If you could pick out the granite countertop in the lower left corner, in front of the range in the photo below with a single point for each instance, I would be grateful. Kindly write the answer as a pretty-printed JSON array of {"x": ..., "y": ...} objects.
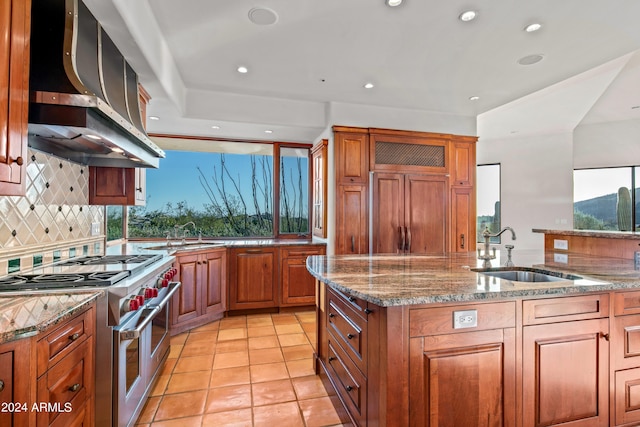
[{"x": 26, "y": 315}]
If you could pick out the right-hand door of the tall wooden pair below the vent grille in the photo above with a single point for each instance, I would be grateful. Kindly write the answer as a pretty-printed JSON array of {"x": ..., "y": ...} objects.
[{"x": 425, "y": 214}]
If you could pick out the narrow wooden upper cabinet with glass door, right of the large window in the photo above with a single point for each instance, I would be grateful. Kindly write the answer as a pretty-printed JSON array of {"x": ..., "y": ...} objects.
[{"x": 319, "y": 189}]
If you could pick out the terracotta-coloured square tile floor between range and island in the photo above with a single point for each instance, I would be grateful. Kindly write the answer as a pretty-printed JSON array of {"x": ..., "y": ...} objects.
[{"x": 254, "y": 370}]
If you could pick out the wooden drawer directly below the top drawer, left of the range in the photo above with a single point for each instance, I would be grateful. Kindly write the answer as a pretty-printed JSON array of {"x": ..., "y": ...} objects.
[{"x": 69, "y": 383}]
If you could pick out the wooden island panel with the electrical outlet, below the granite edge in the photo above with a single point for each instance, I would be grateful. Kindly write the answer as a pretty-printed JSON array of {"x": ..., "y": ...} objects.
[{"x": 441, "y": 320}]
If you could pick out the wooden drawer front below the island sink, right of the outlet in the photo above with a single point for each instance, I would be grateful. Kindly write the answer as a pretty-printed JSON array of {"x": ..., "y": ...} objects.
[{"x": 567, "y": 309}]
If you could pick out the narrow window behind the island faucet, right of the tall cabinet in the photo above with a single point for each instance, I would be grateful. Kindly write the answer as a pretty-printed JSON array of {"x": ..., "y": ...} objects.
[{"x": 488, "y": 200}]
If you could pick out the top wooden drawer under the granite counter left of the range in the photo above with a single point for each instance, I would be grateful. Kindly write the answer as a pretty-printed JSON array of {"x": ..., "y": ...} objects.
[{"x": 64, "y": 339}]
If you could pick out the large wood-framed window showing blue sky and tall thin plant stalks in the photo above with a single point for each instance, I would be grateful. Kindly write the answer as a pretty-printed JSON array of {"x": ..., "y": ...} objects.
[{"x": 233, "y": 189}]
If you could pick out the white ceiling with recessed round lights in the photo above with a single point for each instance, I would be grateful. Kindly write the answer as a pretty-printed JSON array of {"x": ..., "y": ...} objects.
[{"x": 418, "y": 55}]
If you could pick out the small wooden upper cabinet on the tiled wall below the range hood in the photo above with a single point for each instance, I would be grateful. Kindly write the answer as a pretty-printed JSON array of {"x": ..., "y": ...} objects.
[{"x": 117, "y": 186}]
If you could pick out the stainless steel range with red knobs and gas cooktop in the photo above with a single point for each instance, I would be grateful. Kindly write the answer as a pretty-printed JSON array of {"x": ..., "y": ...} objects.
[{"x": 132, "y": 328}]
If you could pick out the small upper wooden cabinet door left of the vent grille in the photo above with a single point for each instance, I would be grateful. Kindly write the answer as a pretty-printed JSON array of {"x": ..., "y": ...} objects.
[{"x": 351, "y": 155}]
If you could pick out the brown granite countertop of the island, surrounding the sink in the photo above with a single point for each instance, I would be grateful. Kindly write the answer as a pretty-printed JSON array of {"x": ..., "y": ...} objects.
[{"x": 393, "y": 280}]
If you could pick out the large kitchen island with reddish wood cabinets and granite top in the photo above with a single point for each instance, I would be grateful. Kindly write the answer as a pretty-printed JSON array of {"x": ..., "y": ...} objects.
[{"x": 433, "y": 340}]
